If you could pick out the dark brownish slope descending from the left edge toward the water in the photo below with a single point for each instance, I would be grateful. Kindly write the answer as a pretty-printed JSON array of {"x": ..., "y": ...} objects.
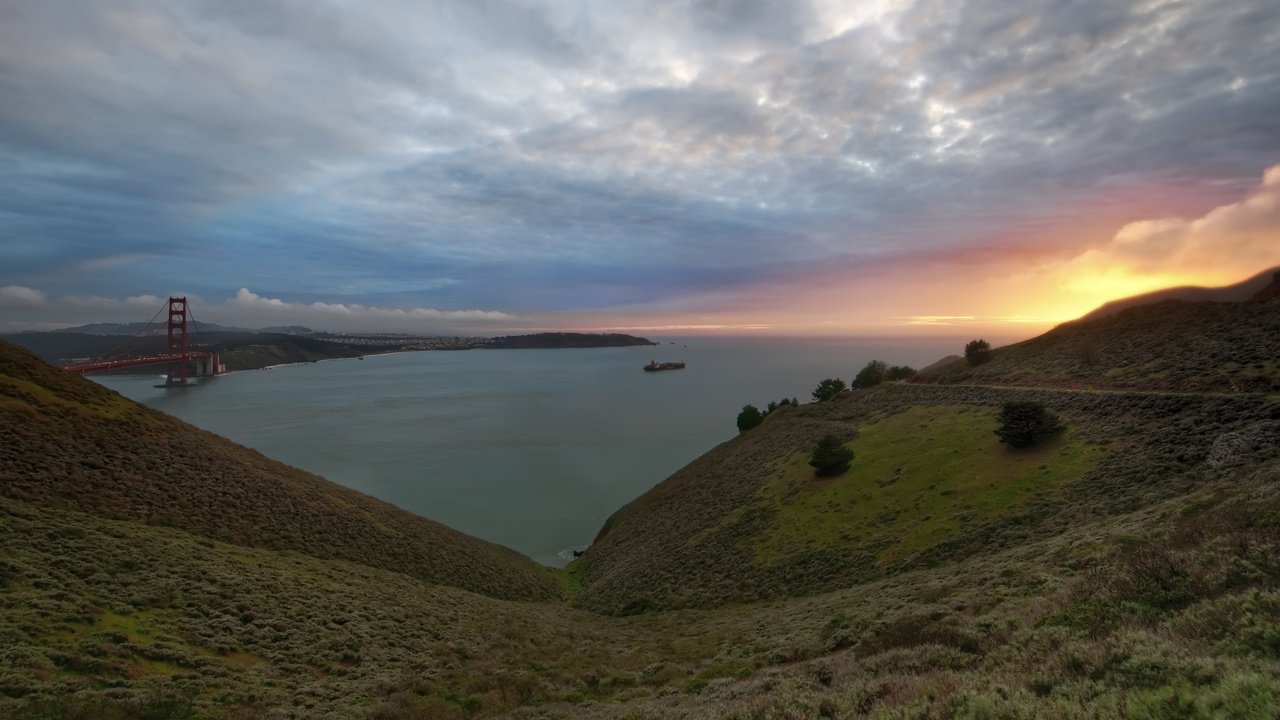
[{"x": 72, "y": 444}]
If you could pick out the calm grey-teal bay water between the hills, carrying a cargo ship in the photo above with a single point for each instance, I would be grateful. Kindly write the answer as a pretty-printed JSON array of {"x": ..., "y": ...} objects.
[{"x": 531, "y": 449}]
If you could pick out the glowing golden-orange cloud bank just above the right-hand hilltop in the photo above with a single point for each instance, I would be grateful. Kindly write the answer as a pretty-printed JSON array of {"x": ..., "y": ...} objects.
[{"x": 1226, "y": 245}]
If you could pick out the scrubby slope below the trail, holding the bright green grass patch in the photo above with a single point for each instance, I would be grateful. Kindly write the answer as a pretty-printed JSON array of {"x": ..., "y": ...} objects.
[{"x": 749, "y": 522}]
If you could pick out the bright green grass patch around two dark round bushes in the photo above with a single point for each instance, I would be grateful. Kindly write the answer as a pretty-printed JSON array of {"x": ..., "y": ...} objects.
[{"x": 920, "y": 479}]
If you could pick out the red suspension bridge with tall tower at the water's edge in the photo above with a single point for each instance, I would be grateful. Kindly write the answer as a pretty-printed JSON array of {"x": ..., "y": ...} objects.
[{"x": 182, "y": 361}]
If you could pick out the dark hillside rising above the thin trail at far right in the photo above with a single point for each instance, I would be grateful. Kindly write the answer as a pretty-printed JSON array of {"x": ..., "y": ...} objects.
[{"x": 1168, "y": 347}]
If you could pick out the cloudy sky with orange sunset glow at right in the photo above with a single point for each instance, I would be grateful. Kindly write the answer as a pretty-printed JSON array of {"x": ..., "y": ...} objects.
[{"x": 662, "y": 167}]
